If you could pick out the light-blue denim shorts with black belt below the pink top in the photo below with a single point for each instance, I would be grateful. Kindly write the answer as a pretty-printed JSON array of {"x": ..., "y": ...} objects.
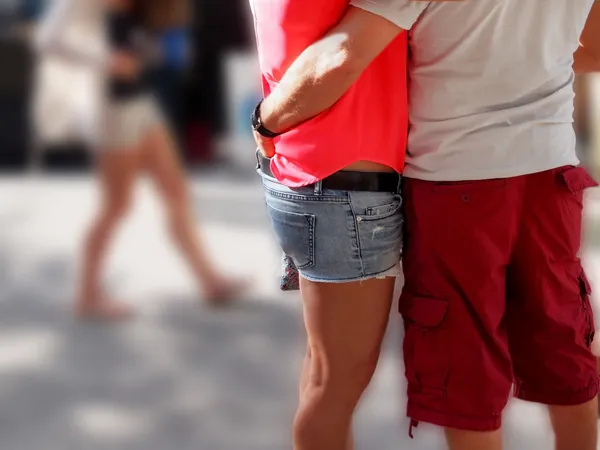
[{"x": 336, "y": 236}]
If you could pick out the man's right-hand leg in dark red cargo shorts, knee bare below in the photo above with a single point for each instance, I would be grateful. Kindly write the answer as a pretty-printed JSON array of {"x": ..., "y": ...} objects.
[{"x": 549, "y": 315}]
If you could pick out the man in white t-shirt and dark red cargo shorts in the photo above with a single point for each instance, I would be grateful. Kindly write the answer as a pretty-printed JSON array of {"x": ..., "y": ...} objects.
[{"x": 495, "y": 294}]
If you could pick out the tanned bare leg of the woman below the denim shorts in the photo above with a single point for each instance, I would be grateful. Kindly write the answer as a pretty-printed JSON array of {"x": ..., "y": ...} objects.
[{"x": 345, "y": 324}]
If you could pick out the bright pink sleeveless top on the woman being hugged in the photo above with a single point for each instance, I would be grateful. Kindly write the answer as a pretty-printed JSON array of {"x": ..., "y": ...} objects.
[{"x": 369, "y": 123}]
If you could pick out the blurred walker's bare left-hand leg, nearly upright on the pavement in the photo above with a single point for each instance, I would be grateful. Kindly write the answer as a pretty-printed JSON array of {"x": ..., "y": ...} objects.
[{"x": 117, "y": 173}]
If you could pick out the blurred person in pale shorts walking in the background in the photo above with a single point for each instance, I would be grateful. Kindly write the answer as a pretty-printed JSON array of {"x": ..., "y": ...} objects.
[{"x": 133, "y": 137}]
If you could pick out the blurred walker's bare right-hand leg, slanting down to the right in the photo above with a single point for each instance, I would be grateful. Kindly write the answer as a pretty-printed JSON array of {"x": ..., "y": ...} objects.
[{"x": 165, "y": 168}]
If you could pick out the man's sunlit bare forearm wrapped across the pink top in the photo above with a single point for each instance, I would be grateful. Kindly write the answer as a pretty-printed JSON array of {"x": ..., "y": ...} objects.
[{"x": 327, "y": 69}]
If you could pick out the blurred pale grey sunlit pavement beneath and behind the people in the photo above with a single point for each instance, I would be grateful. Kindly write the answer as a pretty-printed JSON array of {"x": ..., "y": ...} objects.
[{"x": 180, "y": 377}]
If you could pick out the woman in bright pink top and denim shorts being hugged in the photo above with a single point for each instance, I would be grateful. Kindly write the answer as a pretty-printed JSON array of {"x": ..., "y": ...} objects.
[{"x": 332, "y": 188}]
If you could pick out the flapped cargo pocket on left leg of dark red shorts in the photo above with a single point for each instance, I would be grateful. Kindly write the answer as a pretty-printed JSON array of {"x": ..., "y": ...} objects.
[{"x": 426, "y": 344}]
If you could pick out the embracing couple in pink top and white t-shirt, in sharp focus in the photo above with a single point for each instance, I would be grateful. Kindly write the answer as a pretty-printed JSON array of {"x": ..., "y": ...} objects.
[{"x": 438, "y": 133}]
